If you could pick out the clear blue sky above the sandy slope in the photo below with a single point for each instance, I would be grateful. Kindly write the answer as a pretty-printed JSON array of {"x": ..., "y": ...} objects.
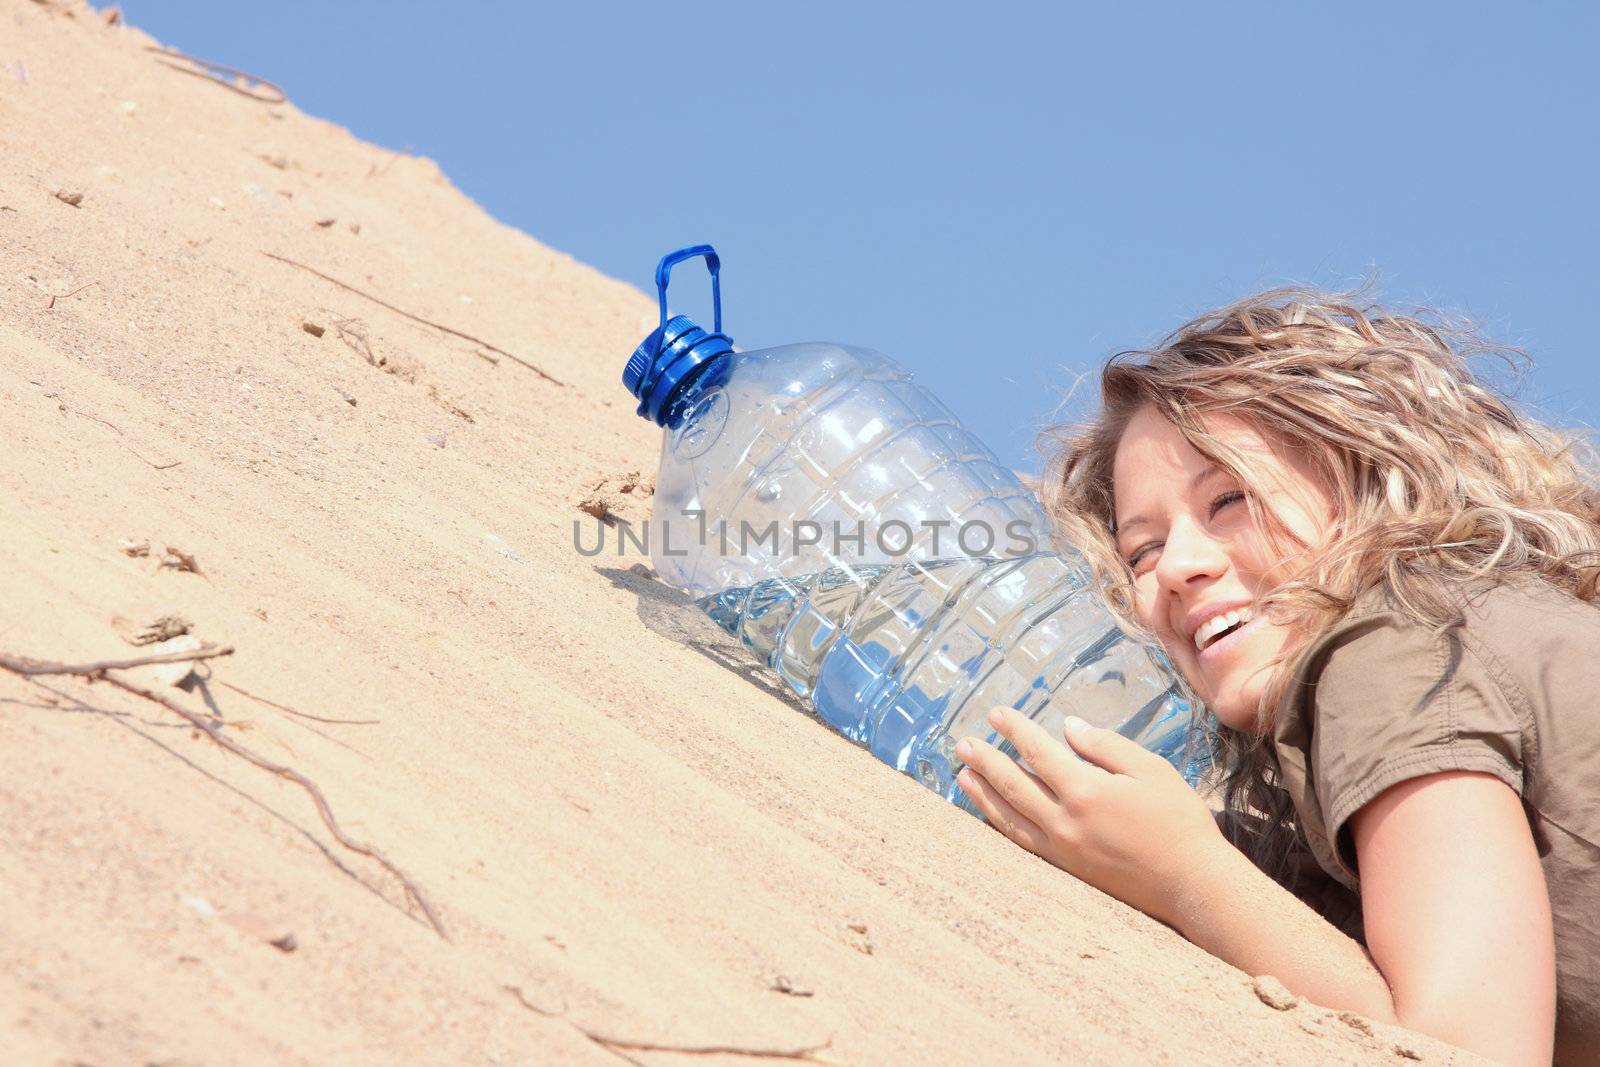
[{"x": 999, "y": 196}]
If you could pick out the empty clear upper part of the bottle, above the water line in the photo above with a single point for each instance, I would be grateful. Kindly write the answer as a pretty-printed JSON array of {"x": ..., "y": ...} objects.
[{"x": 812, "y": 457}]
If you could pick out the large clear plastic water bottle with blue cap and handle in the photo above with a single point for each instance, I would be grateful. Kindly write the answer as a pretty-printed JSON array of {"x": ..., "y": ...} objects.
[{"x": 839, "y": 521}]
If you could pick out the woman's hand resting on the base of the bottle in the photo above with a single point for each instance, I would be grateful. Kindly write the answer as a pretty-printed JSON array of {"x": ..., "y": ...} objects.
[{"x": 1121, "y": 818}]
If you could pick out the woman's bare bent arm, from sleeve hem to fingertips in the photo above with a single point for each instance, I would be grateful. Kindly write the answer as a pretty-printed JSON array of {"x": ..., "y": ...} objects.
[{"x": 1454, "y": 898}]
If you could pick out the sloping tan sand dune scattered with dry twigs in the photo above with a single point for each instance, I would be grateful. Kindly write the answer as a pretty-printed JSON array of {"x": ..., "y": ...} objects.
[{"x": 630, "y": 836}]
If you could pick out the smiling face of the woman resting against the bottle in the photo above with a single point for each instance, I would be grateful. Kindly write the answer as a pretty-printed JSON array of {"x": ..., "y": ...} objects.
[{"x": 1199, "y": 561}]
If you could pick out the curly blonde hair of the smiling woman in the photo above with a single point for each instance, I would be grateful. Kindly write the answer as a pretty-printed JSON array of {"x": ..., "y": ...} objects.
[{"x": 1436, "y": 478}]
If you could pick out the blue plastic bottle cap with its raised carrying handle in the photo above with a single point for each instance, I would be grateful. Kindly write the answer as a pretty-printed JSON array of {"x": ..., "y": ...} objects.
[{"x": 678, "y": 353}]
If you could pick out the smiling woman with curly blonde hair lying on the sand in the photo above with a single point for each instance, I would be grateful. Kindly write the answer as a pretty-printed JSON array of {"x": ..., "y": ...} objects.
[{"x": 1378, "y": 578}]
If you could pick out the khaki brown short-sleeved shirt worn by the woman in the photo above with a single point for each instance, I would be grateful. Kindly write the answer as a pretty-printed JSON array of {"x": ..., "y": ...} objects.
[{"x": 1516, "y": 693}]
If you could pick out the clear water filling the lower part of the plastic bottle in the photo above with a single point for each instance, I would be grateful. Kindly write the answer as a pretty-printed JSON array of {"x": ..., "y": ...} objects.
[{"x": 910, "y": 658}]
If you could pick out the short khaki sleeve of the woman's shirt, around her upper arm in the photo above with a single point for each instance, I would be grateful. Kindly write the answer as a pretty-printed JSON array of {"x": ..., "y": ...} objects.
[{"x": 1398, "y": 700}]
